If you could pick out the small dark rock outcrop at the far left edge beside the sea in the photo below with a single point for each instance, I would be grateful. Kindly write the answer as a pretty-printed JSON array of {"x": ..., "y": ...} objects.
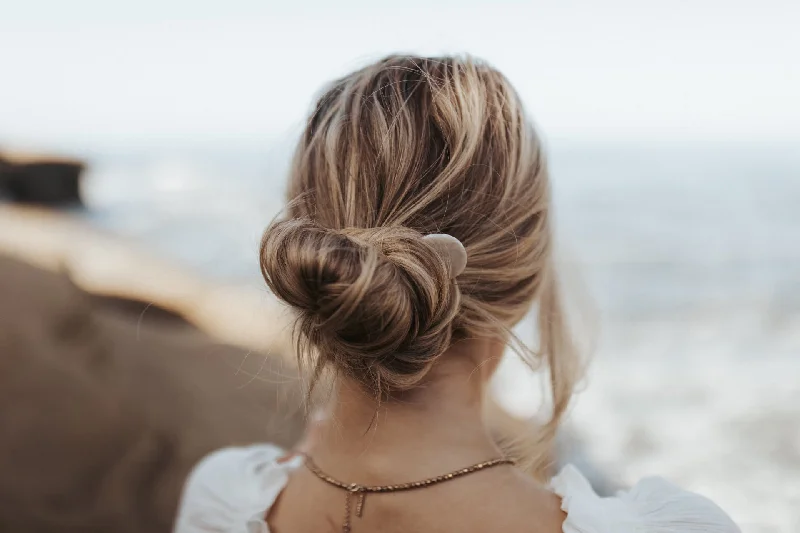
[{"x": 40, "y": 180}]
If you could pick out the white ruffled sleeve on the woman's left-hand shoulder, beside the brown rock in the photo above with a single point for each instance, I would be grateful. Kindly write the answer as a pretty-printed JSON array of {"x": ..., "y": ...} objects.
[{"x": 232, "y": 489}]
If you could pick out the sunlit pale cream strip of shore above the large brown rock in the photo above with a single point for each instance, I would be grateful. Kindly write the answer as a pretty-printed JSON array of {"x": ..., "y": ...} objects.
[{"x": 105, "y": 264}]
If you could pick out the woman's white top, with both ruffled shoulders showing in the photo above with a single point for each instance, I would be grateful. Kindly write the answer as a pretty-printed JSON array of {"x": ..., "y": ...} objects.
[{"x": 231, "y": 491}]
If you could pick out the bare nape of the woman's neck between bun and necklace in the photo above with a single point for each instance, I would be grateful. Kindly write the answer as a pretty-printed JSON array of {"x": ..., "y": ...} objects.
[{"x": 436, "y": 427}]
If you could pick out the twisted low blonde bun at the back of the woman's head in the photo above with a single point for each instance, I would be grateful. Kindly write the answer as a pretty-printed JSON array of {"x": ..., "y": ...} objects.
[{"x": 377, "y": 303}]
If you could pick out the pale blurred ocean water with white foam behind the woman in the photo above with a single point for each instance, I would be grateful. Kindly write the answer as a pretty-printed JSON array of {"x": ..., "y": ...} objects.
[{"x": 686, "y": 261}]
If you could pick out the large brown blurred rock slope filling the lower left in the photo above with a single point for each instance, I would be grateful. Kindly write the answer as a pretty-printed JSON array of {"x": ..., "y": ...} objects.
[{"x": 105, "y": 407}]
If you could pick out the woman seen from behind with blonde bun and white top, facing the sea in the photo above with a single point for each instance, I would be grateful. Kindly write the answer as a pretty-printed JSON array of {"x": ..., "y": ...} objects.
[{"x": 418, "y": 234}]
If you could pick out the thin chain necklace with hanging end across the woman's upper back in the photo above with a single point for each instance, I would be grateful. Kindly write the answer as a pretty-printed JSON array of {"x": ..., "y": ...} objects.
[{"x": 354, "y": 489}]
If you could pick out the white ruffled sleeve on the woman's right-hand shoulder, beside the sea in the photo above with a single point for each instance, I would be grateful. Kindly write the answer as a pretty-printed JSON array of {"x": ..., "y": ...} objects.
[{"x": 653, "y": 505}]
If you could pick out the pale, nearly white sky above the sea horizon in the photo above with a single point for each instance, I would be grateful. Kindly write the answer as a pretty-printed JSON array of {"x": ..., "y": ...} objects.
[{"x": 89, "y": 73}]
